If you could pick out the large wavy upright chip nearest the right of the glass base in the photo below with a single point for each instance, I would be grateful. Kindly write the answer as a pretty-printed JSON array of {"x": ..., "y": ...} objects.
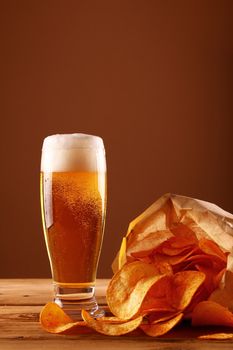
[{"x": 128, "y": 288}]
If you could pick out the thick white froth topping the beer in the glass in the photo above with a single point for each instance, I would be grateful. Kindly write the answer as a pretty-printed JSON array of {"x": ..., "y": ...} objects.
[{"x": 73, "y": 152}]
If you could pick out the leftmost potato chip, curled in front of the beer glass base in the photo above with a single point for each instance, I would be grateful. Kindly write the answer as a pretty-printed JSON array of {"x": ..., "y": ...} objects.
[{"x": 54, "y": 320}]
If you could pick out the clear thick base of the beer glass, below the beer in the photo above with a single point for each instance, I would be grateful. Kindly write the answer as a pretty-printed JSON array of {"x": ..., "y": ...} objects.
[{"x": 73, "y": 299}]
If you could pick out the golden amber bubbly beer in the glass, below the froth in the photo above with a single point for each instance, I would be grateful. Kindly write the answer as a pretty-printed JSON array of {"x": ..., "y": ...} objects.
[{"x": 75, "y": 237}]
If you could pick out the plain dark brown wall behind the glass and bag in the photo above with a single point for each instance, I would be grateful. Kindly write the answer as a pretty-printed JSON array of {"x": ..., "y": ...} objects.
[{"x": 153, "y": 78}]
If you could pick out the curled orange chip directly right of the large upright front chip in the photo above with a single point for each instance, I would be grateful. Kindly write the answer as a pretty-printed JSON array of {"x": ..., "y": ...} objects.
[{"x": 183, "y": 287}]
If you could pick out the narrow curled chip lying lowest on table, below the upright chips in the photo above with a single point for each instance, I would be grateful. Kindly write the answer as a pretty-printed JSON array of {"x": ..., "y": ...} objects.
[{"x": 158, "y": 329}]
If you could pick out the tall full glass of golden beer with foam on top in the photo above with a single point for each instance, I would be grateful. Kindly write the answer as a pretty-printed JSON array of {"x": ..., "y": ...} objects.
[{"x": 73, "y": 202}]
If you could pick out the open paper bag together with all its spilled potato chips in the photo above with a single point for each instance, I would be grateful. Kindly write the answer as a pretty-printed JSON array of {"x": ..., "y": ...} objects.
[{"x": 168, "y": 269}]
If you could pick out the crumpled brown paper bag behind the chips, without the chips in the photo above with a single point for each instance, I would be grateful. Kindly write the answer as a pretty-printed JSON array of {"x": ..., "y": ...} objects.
[{"x": 170, "y": 213}]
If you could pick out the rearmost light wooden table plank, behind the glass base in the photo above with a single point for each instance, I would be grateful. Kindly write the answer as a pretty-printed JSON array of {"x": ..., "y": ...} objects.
[{"x": 37, "y": 291}]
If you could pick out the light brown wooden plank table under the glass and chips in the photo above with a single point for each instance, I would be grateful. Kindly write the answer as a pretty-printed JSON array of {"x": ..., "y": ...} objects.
[{"x": 22, "y": 299}]
